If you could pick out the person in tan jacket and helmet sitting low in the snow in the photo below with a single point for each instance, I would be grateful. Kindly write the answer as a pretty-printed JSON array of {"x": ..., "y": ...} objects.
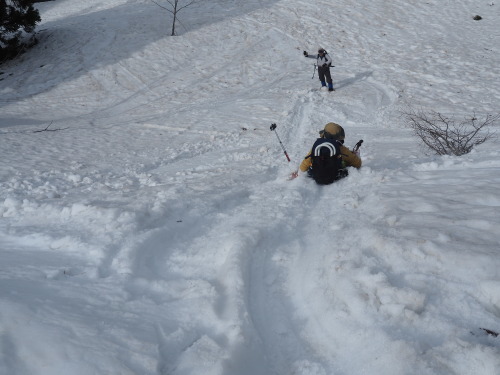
[{"x": 328, "y": 159}]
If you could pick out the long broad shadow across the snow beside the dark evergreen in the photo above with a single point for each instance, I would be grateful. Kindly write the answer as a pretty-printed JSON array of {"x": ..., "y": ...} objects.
[{"x": 71, "y": 47}]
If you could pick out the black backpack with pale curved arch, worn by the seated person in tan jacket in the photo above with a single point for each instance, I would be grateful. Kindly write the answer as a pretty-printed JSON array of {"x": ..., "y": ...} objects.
[{"x": 326, "y": 161}]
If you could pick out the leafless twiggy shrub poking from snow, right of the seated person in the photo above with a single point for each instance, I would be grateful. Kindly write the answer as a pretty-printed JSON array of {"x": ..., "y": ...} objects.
[{"x": 448, "y": 136}]
